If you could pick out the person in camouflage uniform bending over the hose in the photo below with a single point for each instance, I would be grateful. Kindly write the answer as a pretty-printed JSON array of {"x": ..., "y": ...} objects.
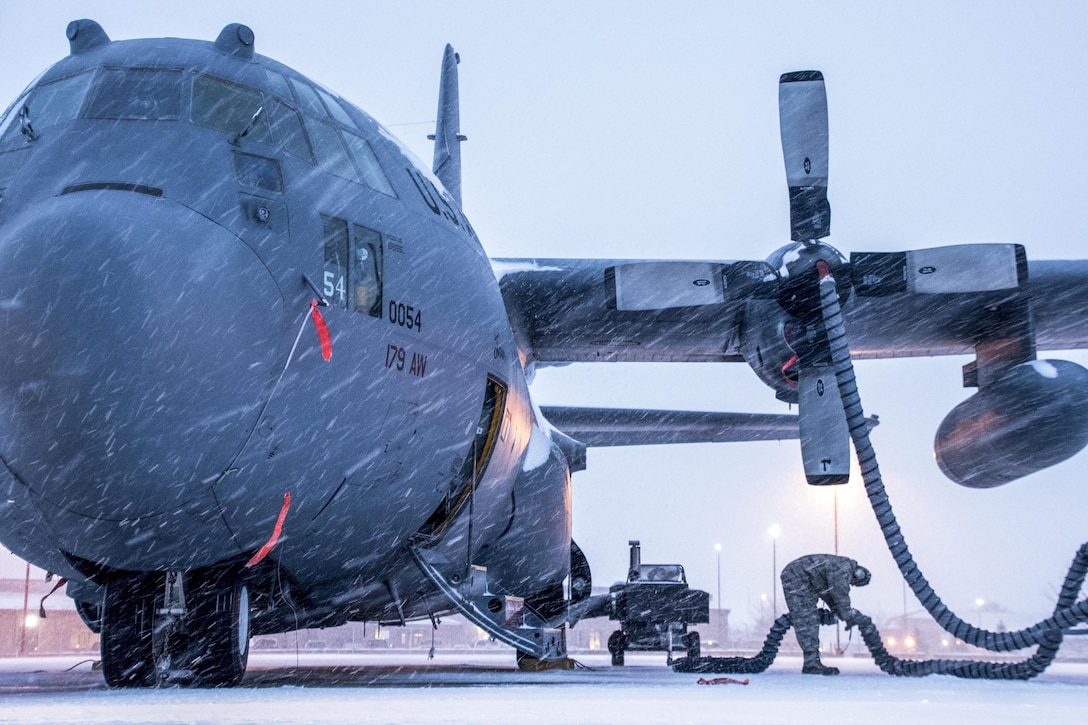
[{"x": 808, "y": 581}]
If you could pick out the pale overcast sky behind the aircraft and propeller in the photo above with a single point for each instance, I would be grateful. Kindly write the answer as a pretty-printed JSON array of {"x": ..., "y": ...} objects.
[{"x": 649, "y": 130}]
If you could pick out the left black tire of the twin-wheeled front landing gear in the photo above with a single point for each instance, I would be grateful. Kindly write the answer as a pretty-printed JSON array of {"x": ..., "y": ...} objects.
[{"x": 128, "y": 632}]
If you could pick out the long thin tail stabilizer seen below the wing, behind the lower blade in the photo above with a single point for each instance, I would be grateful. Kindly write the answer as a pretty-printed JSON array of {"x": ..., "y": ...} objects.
[{"x": 611, "y": 427}]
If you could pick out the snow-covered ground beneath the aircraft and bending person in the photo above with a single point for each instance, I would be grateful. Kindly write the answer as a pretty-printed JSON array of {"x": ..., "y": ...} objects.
[{"x": 469, "y": 689}]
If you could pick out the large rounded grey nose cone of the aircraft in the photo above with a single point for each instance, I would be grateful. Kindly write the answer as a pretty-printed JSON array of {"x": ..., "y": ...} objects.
[{"x": 138, "y": 342}]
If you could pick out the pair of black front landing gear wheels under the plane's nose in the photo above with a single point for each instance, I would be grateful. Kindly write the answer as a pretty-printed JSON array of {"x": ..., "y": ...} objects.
[{"x": 192, "y": 630}]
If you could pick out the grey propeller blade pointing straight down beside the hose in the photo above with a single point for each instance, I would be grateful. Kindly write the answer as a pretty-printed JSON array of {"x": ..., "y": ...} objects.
[{"x": 825, "y": 438}]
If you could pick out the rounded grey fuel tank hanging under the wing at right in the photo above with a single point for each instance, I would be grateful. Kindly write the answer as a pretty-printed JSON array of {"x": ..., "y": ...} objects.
[{"x": 1034, "y": 417}]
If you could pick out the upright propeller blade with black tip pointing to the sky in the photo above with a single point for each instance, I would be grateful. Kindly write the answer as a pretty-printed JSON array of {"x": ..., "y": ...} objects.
[{"x": 802, "y": 110}]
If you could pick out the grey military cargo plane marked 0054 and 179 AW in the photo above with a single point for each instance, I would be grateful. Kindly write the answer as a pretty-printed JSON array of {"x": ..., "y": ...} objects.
[{"x": 258, "y": 373}]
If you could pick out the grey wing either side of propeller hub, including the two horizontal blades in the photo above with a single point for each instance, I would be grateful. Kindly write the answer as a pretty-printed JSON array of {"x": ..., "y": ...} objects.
[{"x": 586, "y": 311}]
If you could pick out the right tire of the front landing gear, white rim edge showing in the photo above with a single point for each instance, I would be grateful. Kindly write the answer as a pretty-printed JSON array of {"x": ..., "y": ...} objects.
[{"x": 219, "y": 629}]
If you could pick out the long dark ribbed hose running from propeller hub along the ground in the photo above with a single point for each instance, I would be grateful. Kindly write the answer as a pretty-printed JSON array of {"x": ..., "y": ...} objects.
[{"x": 1046, "y": 635}]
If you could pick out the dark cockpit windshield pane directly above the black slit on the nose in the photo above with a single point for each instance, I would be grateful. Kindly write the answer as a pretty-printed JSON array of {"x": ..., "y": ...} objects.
[{"x": 137, "y": 94}]
